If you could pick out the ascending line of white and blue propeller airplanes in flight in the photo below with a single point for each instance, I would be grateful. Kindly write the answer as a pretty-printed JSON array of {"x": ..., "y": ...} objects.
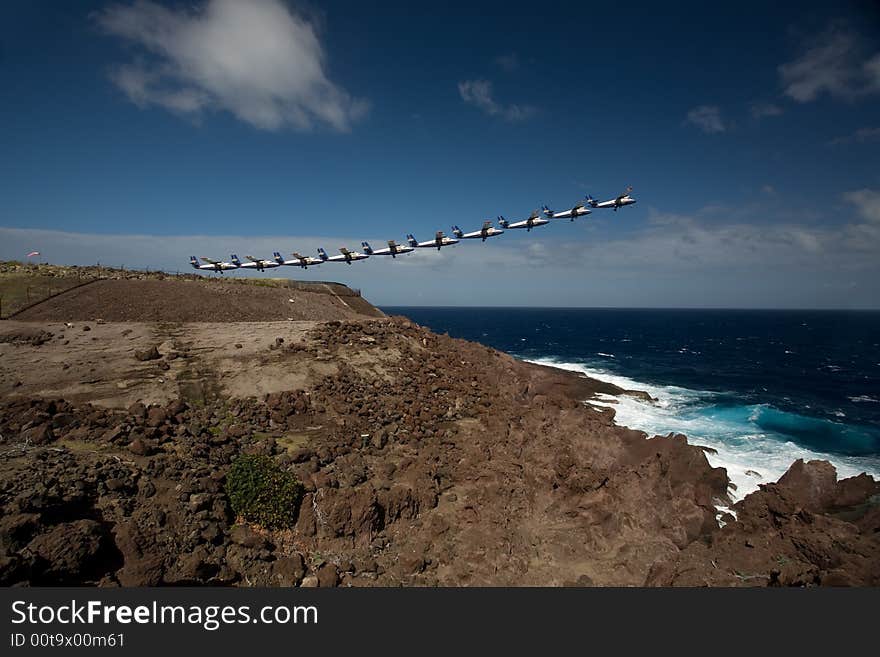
[{"x": 534, "y": 220}]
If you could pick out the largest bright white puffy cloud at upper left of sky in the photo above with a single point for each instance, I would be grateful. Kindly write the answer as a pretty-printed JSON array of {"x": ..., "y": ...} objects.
[{"x": 258, "y": 59}]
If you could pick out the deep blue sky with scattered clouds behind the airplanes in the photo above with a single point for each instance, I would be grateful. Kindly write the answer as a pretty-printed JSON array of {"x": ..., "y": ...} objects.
[{"x": 139, "y": 133}]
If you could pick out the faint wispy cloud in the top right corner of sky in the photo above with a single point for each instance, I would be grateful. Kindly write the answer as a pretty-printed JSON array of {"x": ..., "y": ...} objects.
[{"x": 834, "y": 63}]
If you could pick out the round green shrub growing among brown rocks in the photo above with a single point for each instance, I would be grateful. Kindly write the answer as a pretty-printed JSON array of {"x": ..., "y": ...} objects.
[{"x": 262, "y": 493}]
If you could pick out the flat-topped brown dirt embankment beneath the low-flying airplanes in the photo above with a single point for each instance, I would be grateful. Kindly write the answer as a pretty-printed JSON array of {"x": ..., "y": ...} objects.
[{"x": 199, "y": 300}]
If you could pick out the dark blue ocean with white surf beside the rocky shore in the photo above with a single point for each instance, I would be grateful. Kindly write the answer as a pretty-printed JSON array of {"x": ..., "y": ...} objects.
[{"x": 763, "y": 388}]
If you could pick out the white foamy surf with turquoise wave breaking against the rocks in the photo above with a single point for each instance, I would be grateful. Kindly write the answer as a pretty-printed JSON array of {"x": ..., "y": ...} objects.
[{"x": 740, "y": 446}]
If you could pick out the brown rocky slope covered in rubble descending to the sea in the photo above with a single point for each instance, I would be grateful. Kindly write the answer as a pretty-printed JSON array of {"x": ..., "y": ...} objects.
[{"x": 425, "y": 460}]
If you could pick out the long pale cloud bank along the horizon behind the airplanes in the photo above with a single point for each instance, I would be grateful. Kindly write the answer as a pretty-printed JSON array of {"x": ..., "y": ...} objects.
[{"x": 716, "y": 257}]
